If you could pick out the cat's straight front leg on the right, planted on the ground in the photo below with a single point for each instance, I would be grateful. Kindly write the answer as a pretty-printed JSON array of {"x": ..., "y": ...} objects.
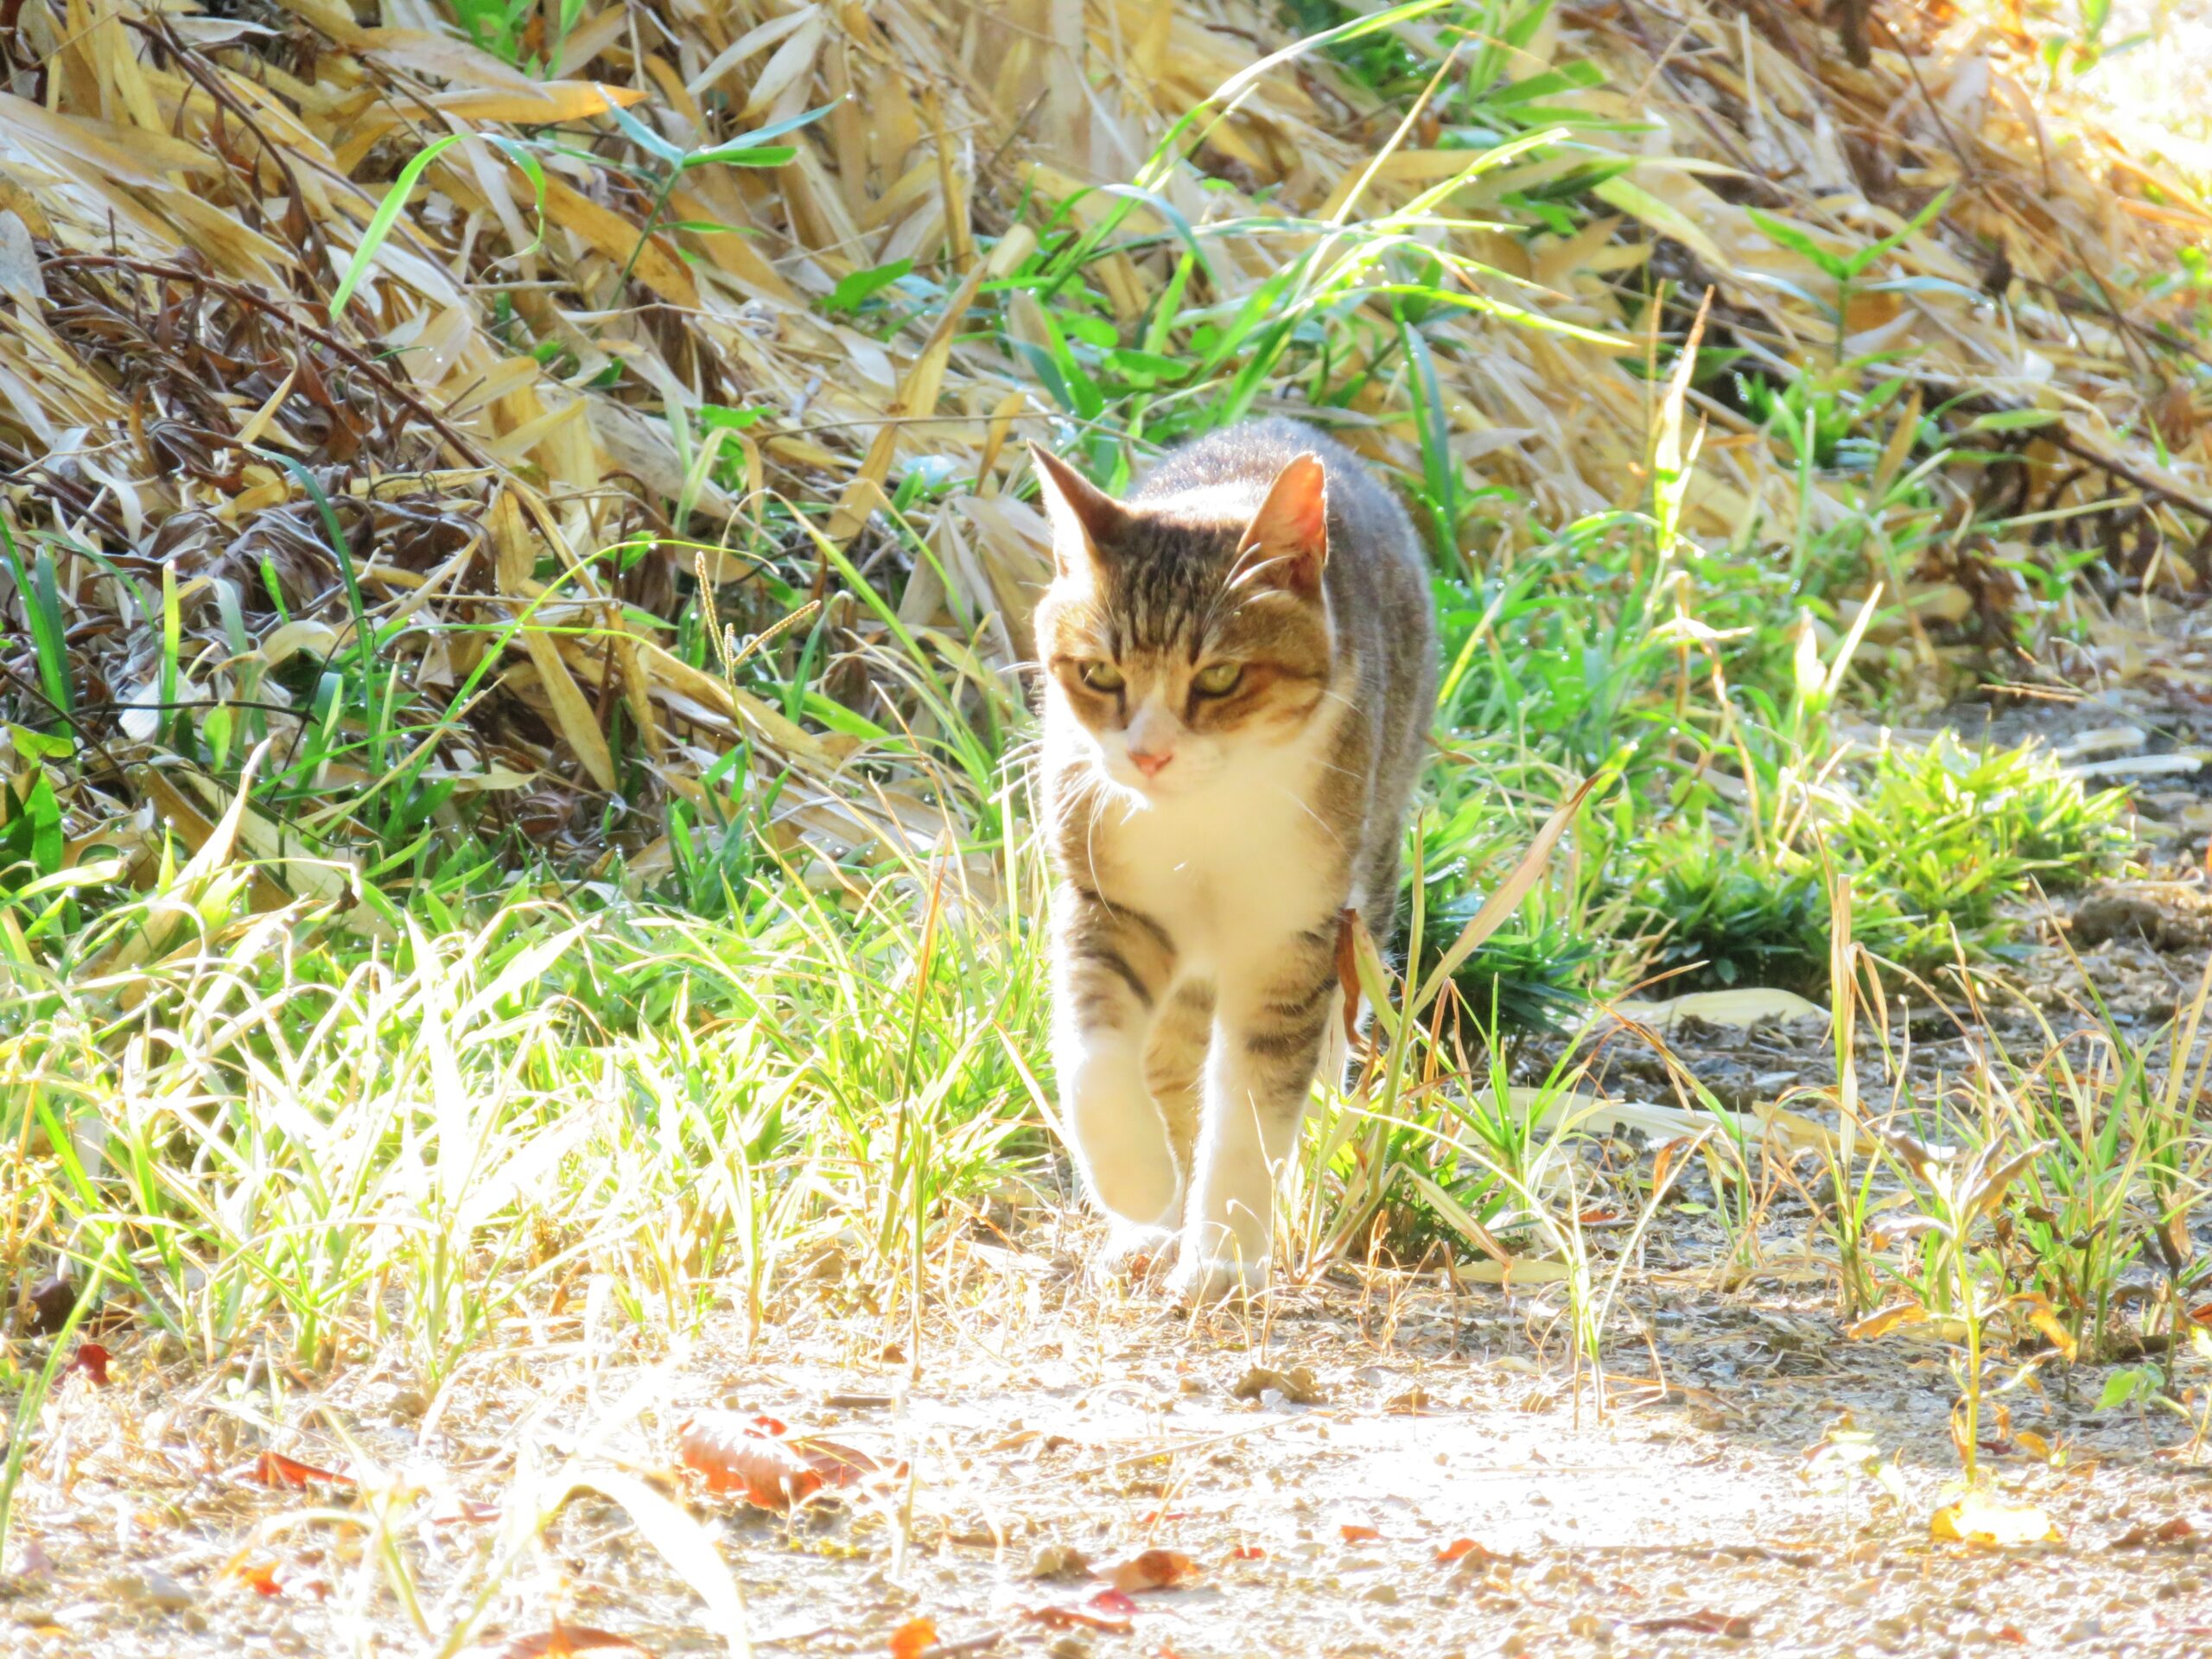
[{"x": 1273, "y": 1027}]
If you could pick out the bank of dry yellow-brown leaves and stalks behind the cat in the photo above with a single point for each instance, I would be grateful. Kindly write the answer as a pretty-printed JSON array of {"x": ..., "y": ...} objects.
[{"x": 200, "y": 452}]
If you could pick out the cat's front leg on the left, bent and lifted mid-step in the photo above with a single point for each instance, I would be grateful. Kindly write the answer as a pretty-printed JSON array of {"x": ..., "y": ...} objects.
[{"x": 1112, "y": 968}]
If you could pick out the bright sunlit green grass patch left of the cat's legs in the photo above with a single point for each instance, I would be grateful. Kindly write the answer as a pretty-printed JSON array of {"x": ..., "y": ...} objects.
[{"x": 328, "y": 1136}]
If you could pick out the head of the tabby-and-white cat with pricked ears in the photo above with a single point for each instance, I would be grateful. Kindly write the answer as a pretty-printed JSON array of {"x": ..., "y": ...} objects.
[{"x": 1193, "y": 634}]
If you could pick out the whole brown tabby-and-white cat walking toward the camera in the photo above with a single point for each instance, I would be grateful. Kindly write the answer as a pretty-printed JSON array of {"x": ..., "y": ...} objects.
[{"x": 1240, "y": 671}]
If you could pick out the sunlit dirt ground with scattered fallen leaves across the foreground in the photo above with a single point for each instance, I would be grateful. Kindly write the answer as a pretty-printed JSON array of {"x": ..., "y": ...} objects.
[{"x": 1054, "y": 1426}]
